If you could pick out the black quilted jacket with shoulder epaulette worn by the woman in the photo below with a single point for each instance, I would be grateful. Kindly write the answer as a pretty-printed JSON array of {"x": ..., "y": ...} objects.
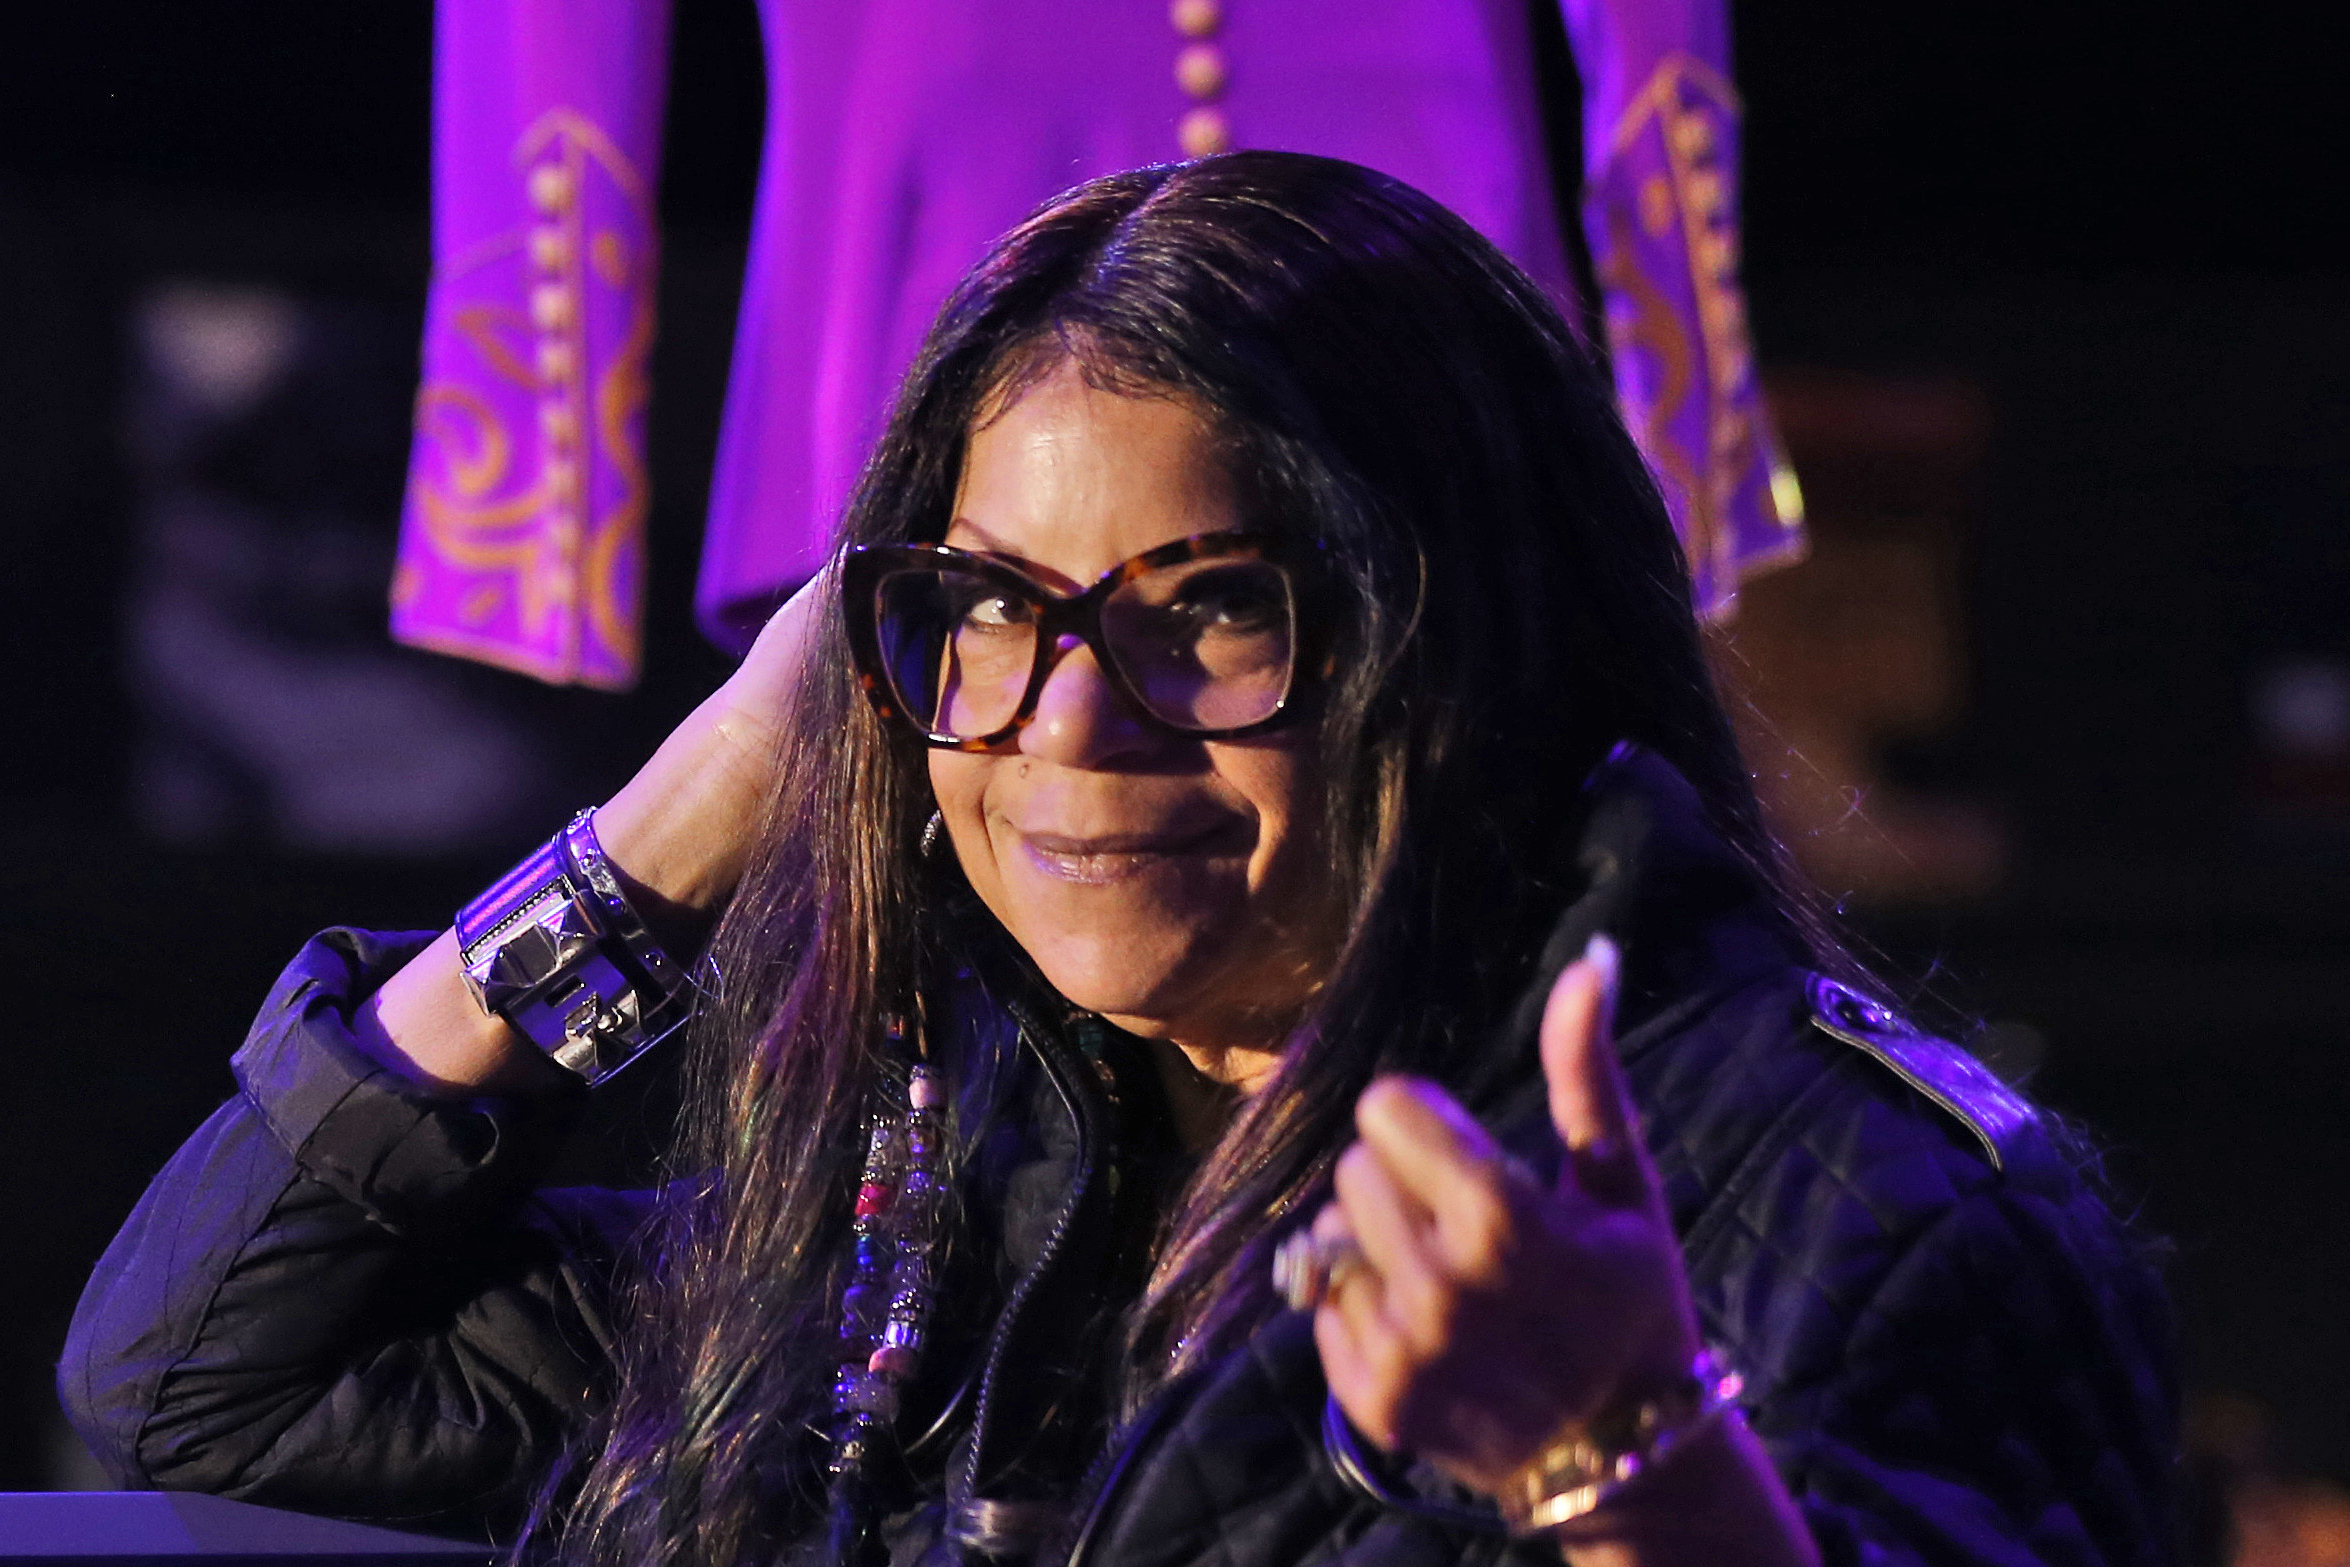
[{"x": 349, "y": 1300}]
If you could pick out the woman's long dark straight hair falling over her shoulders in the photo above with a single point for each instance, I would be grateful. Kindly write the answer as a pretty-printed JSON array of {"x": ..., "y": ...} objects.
[{"x": 1505, "y": 603}]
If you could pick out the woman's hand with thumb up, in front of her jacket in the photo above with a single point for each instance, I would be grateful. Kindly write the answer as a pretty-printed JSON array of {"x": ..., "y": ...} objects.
[{"x": 1491, "y": 1312}]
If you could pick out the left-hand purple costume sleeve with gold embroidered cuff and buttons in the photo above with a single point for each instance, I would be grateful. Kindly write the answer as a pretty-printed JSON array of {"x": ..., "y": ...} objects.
[{"x": 523, "y": 532}]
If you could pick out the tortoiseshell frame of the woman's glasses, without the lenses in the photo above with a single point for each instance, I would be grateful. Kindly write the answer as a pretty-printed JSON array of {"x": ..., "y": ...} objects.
[{"x": 1056, "y": 617}]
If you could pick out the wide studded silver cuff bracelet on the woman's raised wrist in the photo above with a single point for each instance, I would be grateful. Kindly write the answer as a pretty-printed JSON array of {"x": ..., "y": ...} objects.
[{"x": 560, "y": 955}]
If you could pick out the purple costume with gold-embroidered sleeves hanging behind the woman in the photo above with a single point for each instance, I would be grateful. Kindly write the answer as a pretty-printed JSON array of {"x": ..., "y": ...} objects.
[{"x": 904, "y": 137}]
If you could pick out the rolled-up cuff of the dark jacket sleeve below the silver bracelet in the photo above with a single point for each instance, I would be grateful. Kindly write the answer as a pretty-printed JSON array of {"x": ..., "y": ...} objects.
[{"x": 405, "y": 1159}]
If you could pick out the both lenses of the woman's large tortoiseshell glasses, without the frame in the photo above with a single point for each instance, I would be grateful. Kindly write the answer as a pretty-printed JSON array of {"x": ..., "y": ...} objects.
[{"x": 1204, "y": 645}]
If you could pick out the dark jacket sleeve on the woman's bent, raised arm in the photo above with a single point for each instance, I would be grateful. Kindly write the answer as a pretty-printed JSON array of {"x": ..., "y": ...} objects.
[{"x": 344, "y": 1298}]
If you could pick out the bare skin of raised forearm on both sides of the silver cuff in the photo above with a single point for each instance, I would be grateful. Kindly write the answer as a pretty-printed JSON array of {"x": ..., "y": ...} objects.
[{"x": 678, "y": 830}]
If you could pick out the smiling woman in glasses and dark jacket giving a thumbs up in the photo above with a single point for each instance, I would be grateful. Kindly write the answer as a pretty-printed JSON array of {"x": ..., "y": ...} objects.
[{"x": 1258, "y": 675}]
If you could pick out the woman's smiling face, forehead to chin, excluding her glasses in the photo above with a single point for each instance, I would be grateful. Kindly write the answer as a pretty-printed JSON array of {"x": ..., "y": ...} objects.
[{"x": 1157, "y": 880}]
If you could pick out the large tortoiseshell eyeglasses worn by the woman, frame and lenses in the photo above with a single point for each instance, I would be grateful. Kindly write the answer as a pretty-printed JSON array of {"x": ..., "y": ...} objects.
[{"x": 1197, "y": 635}]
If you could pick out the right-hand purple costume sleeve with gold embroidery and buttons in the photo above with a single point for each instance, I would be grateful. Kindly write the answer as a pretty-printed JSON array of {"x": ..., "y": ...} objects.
[{"x": 1663, "y": 222}]
